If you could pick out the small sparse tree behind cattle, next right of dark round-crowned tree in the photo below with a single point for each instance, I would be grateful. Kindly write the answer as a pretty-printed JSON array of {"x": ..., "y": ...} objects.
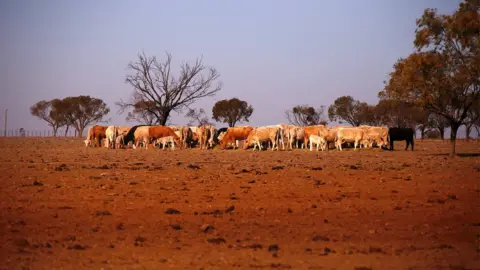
[{"x": 304, "y": 115}]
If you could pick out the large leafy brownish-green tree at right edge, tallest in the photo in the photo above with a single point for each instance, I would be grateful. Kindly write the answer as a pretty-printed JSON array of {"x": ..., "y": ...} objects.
[{"x": 443, "y": 76}]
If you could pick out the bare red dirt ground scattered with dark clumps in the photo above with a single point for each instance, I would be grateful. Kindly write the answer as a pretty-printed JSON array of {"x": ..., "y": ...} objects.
[{"x": 65, "y": 206}]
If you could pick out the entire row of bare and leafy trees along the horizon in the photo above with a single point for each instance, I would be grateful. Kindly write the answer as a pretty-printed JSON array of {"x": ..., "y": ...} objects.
[{"x": 435, "y": 87}]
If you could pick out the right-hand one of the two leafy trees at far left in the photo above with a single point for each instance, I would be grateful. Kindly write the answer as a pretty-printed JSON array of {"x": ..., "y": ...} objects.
[{"x": 82, "y": 111}]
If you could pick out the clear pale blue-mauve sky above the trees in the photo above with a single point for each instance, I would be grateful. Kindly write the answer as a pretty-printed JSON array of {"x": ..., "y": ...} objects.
[{"x": 273, "y": 54}]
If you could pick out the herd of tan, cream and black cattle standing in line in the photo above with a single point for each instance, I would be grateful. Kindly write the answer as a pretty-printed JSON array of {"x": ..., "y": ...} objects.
[{"x": 286, "y": 136}]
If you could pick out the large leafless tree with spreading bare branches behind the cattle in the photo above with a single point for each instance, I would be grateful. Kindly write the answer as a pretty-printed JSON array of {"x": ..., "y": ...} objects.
[{"x": 154, "y": 84}]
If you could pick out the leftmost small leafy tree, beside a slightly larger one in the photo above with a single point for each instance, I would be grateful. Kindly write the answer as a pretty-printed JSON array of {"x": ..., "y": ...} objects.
[{"x": 49, "y": 111}]
